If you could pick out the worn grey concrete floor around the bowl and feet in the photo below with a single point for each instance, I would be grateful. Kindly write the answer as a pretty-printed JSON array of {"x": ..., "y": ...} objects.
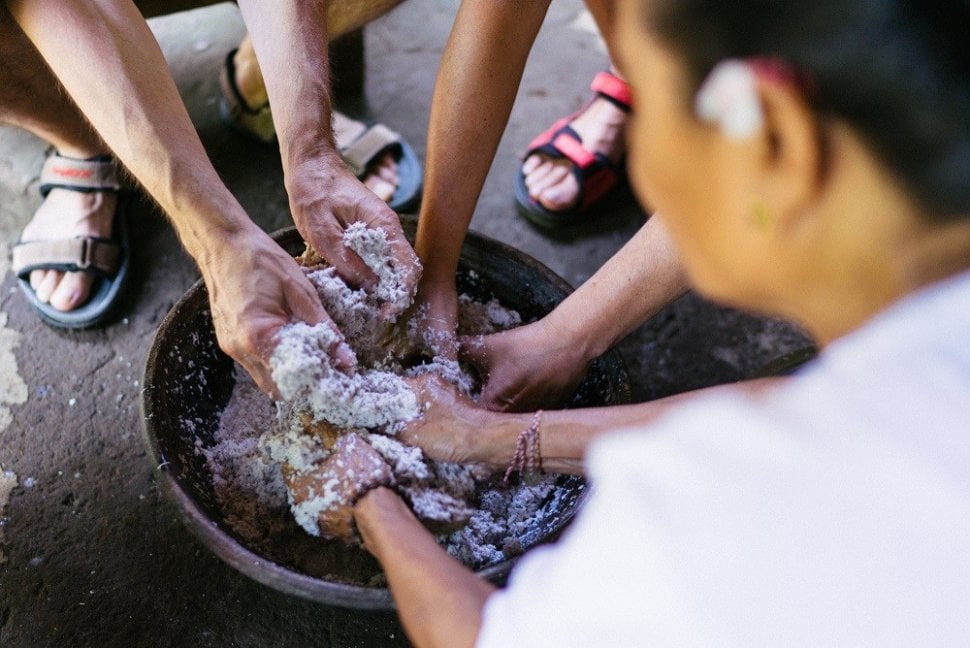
[{"x": 90, "y": 553}]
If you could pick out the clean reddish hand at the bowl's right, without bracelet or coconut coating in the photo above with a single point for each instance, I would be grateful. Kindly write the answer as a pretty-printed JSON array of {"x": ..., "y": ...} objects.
[{"x": 525, "y": 368}]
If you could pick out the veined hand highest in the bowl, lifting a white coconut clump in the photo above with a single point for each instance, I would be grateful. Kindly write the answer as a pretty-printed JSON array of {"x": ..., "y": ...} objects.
[{"x": 326, "y": 199}]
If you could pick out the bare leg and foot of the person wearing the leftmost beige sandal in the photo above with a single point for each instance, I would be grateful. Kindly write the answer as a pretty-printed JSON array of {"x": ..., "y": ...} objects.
[{"x": 33, "y": 99}]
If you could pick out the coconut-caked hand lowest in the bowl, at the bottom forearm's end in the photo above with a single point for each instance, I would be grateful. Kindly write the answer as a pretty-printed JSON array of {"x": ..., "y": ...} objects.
[{"x": 352, "y": 469}]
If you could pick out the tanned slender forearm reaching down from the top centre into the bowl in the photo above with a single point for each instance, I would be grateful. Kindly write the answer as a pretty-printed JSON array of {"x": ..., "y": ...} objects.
[{"x": 480, "y": 72}]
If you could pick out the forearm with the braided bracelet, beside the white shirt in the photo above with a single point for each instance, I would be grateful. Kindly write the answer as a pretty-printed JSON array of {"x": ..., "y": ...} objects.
[{"x": 565, "y": 435}]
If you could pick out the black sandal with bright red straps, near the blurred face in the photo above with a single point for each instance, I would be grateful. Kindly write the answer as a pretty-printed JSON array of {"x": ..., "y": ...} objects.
[{"x": 595, "y": 173}]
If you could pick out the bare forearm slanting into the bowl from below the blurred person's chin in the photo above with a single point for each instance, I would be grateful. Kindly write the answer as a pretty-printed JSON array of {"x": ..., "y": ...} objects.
[{"x": 640, "y": 279}]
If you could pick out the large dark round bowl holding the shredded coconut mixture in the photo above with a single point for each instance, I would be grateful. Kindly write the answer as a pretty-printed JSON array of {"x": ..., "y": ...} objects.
[{"x": 188, "y": 381}]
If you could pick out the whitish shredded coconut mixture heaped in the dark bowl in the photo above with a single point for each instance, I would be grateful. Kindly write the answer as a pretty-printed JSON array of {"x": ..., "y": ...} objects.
[{"x": 276, "y": 465}]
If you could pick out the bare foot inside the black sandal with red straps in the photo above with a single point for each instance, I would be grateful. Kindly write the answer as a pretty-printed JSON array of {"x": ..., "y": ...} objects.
[{"x": 551, "y": 181}]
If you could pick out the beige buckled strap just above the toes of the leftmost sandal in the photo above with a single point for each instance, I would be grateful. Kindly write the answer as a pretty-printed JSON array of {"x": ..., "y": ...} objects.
[{"x": 82, "y": 254}]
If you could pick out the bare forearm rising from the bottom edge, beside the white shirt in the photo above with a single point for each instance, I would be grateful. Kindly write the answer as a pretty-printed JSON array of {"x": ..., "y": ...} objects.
[{"x": 439, "y": 601}]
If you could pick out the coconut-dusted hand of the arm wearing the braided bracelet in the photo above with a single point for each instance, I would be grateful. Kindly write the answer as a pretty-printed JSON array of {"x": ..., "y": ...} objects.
[{"x": 449, "y": 425}]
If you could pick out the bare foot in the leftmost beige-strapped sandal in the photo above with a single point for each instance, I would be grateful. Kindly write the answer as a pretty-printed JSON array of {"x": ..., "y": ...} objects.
[{"x": 66, "y": 214}]
